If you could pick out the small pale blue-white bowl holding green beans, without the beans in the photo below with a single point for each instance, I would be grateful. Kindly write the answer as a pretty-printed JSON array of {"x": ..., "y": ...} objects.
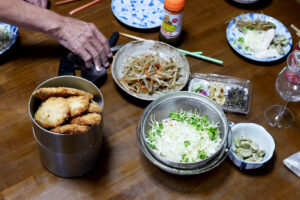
[{"x": 259, "y": 135}]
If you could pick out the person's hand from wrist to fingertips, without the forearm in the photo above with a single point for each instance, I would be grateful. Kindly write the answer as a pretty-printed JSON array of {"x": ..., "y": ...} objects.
[{"x": 85, "y": 40}]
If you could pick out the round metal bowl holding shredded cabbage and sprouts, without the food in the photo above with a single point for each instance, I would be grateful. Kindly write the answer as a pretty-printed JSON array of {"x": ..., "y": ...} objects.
[{"x": 186, "y": 101}]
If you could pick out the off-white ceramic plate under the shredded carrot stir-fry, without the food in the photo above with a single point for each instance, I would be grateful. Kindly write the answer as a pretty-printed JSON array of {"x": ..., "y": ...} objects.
[{"x": 136, "y": 48}]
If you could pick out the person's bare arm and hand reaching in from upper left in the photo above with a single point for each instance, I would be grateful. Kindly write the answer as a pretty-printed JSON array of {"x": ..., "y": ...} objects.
[{"x": 80, "y": 37}]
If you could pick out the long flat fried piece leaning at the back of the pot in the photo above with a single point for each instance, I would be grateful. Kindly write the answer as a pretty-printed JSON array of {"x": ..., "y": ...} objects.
[{"x": 45, "y": 93}]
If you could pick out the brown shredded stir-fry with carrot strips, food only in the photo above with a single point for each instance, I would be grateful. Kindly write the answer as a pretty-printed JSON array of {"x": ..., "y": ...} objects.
[{"x": 149, "y": 74}]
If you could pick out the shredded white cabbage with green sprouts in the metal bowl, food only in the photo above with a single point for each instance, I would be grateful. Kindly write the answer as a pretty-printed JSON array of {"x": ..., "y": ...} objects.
[{"x": 184, "y": 137}]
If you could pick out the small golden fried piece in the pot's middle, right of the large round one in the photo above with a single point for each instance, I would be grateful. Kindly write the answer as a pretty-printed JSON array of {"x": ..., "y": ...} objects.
[{"x": 77, "y": 105}]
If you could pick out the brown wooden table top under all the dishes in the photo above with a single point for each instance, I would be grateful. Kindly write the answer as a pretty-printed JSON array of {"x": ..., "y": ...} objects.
[{"x": 123, "y": 171}]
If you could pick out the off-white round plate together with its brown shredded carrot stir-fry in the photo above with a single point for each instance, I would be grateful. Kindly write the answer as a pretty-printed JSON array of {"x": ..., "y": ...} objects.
[{"x": 149, "y": 69}]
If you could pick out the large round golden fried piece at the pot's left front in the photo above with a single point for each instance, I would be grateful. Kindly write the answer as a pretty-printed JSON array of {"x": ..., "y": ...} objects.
[{"x": 53, "y": 112}]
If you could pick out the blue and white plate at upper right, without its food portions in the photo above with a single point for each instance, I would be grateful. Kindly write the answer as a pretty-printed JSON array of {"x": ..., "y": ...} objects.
[{"x": 232, "y": 34}]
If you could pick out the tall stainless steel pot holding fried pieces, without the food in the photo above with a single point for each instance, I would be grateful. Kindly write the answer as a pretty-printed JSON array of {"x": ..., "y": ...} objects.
[{"x": 68, "y": 155}]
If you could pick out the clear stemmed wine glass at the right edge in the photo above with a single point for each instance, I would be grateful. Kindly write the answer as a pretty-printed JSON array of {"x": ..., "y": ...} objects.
[{"x": 288, "y": 86}]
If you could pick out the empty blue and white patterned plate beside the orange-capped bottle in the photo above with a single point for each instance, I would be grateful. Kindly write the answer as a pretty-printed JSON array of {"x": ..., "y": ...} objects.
[{"x": 143, "y": 14}]
